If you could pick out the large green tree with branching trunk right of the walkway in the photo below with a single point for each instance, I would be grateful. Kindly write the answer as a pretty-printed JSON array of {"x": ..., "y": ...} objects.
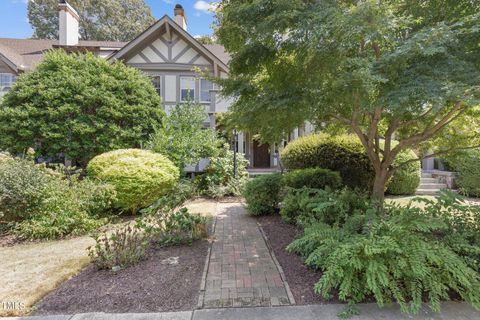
[{"x": 399, "y": 69}]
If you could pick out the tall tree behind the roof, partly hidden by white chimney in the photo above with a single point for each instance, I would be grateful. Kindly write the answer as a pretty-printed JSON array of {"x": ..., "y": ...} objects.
[{"x": 109, "y": 20}]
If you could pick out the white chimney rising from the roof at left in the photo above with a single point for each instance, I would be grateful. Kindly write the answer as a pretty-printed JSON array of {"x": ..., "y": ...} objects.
[{"x": 68, "y": 24}]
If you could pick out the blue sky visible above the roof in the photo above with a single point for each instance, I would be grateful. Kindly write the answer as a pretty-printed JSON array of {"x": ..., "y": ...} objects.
[{"x": 14, "y": 20}]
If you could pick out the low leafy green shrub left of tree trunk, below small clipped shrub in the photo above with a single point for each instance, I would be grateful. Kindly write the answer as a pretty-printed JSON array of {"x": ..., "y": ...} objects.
[{"x": 306, "y": 206}]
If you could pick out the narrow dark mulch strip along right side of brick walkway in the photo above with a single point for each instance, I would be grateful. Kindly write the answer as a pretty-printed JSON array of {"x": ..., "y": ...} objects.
[{"x": 300, "y": 278}]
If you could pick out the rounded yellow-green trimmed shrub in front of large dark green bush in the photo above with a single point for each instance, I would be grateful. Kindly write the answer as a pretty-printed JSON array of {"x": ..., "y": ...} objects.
[{"x": 139, "y": 176}]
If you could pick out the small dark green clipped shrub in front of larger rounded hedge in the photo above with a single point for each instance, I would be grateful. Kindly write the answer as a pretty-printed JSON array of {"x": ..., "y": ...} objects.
[{"x": 317, "y": 178}]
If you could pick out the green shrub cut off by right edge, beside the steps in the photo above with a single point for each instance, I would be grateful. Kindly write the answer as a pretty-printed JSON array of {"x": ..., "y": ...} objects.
[{"x": 467, "y": 165}]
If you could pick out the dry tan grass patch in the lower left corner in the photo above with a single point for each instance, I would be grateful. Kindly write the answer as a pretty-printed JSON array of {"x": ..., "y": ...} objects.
[{"x": 30, "y": 271}]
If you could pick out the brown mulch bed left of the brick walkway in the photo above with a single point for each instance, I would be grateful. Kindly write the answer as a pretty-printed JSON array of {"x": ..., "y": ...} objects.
[{"x": 150, "y": 286}]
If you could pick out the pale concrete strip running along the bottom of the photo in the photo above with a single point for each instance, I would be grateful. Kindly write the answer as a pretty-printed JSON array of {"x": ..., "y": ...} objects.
[{"x": 368, "y": 311}]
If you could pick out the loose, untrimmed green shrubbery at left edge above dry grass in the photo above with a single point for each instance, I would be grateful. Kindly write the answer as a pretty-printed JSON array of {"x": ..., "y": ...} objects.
[{"x": 49, "y": 204}]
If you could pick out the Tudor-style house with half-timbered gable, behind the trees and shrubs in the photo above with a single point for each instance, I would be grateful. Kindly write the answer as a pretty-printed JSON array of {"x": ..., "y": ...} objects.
[{"x": 165, "y": 51}]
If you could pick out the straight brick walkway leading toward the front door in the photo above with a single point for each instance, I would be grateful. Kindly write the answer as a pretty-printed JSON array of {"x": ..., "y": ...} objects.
[{"x": 241, "y": 271}]
